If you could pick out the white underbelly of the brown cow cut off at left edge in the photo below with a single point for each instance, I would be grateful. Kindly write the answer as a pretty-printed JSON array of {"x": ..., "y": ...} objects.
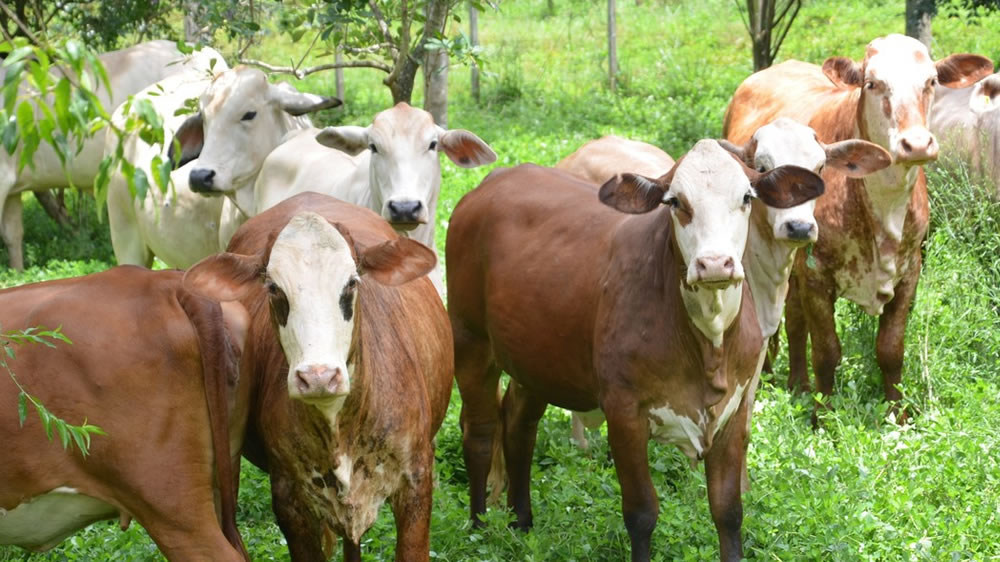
[{"x": 44, "y": 521}]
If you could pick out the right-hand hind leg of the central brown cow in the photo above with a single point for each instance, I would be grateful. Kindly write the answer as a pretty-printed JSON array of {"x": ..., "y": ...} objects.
[{"x": 521, "y": 411}]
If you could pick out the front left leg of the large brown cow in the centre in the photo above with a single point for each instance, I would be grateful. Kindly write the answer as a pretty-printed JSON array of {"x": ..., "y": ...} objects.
[{"x": 628, "y": 436}]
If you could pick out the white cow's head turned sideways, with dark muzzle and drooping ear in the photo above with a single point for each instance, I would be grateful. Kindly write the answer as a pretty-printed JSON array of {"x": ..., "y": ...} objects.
[{"x": 243, "y": 117}]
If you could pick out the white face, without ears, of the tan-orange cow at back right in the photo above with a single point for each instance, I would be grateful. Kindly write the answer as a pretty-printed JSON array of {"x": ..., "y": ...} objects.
[{"x": 898, "y": 89}]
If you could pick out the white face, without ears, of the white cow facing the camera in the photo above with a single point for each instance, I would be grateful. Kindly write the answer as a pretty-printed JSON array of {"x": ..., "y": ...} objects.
[{"x": 405, "y": 168}]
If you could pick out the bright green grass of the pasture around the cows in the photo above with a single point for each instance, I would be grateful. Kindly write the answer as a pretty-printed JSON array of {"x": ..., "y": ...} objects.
[{"x": 860, "y": 488}]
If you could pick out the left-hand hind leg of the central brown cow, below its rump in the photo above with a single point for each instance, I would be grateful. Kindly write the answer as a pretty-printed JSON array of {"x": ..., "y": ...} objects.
[{"x": 477, "y": 379}]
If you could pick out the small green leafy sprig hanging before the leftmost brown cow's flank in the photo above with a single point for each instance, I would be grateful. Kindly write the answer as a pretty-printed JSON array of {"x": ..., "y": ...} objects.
[{"x": 51, "y": 423}]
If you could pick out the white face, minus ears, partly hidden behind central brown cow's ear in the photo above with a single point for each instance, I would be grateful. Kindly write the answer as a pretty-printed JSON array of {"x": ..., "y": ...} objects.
[{"x": 787, "y": 142}]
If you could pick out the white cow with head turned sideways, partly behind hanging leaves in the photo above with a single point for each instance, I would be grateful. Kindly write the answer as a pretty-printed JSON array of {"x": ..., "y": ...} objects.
[{"x": 242, "y": 118}]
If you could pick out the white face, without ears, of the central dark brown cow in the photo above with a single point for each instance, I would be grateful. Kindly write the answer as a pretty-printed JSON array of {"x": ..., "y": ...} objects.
[{"x": 711, "y": 199}]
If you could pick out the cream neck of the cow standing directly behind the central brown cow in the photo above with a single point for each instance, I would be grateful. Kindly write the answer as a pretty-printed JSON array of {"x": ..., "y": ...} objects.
[{"x": 768, "y": 264}]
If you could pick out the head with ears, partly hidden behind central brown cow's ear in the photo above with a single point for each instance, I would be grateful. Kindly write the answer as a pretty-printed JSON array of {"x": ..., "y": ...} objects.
[{"x": 785, "y": 141}]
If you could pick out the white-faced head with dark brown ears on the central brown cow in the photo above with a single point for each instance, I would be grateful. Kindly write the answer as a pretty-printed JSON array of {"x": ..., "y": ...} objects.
[{"x": 709, "y": 194}]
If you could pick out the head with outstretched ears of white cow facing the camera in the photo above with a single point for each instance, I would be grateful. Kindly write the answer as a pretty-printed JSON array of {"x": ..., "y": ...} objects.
[{"x": 404, "y": 169}]
